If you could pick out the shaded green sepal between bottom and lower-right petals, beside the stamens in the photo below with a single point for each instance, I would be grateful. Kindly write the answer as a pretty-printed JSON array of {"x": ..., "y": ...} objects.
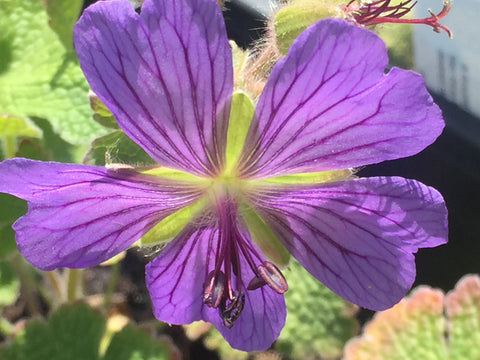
[{"x": 264, "y": 237}]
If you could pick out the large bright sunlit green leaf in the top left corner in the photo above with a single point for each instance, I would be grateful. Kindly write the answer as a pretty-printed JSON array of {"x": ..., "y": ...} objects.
[{"x": 38, "y": 76}]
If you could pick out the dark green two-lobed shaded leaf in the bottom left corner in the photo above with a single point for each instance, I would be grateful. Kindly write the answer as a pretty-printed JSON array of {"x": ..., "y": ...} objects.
[{"x": 74, "y": 332}]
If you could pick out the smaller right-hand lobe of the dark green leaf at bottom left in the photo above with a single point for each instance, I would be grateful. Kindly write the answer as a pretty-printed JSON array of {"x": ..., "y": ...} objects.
[{"x": 134, "y": 344}]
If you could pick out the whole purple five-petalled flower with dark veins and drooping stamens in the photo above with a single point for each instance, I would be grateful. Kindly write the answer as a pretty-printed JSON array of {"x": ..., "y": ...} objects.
[{"x": 166, "y": 75}]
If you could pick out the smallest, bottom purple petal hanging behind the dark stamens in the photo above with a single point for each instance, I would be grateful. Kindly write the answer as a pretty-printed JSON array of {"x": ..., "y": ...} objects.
[{"x": 175, "y": 281}]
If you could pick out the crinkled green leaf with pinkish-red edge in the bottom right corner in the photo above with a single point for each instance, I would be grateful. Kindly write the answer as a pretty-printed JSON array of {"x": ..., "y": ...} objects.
[{"x": 426, "y": 325}]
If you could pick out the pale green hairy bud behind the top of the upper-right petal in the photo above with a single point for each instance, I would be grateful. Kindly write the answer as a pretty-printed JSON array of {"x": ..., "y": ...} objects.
[{"x": 296, "y": 16}]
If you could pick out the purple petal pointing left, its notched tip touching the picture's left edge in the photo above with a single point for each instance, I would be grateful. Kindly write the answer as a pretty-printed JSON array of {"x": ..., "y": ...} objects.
[{"x": 80, "y": 215}]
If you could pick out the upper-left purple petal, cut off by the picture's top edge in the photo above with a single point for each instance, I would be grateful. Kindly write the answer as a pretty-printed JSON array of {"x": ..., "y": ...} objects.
[{"x": 165, "y": 74}]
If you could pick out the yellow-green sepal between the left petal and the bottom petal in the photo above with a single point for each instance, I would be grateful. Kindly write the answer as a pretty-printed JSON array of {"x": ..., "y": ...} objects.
[{"x": 170, "y": 226}]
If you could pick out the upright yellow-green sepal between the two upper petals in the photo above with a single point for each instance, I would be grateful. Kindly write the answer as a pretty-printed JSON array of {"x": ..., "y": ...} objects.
[{"x": 241, "y": 114}]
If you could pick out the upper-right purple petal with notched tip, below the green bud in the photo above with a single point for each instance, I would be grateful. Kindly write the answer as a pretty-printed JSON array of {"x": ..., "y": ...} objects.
[{"x": 328, "y": 105}]
